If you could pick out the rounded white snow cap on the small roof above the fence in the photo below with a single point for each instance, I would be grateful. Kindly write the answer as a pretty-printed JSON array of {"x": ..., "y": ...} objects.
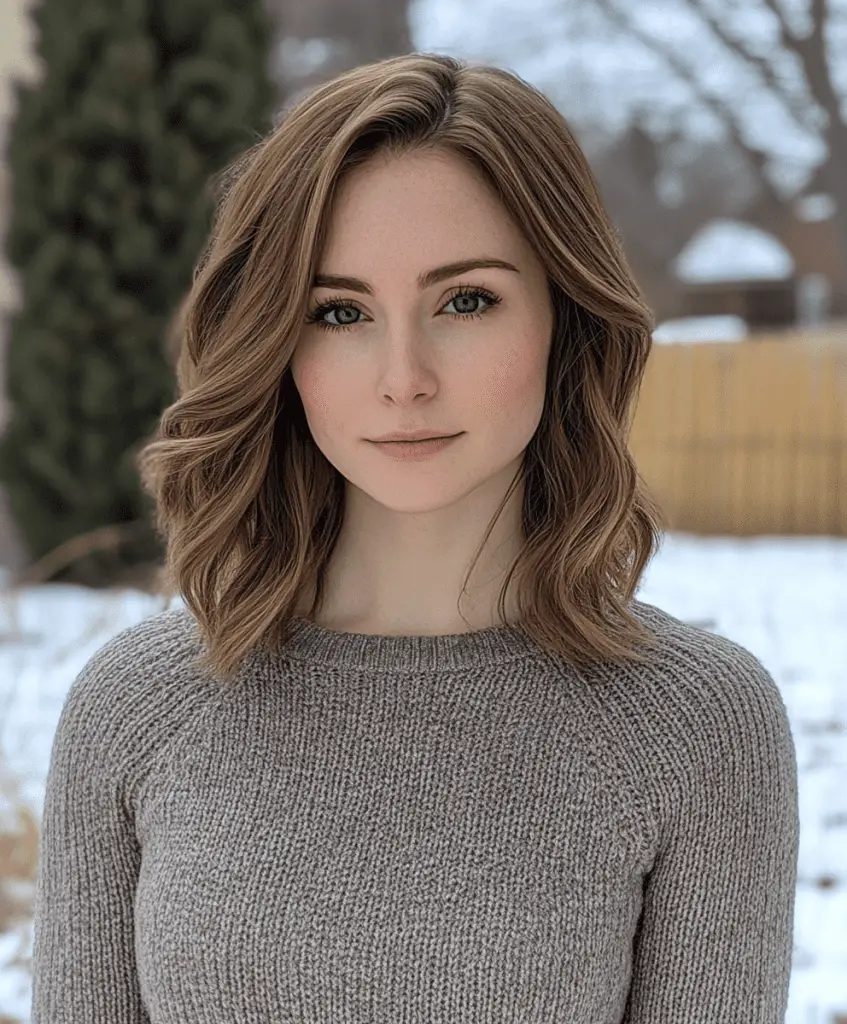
[{"x": 732, "y": 250}]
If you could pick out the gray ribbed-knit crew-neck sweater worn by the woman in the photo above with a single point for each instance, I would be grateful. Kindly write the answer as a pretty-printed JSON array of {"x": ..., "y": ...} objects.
[{"x": 432, "y": 830}]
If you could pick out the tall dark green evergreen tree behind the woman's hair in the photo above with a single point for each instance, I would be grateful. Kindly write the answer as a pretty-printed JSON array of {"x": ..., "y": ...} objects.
[{"x": 111, "y": 158}]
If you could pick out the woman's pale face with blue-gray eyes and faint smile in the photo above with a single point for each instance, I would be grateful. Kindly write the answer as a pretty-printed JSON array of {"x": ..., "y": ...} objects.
[{"x": 389, "y": 354}]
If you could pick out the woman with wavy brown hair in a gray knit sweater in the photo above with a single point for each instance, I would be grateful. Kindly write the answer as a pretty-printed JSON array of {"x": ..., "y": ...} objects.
[{"x": 413, "y": 751}]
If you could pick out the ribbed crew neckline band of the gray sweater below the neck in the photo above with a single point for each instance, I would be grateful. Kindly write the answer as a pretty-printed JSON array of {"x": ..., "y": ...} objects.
[{"x": 319, "y": 645}]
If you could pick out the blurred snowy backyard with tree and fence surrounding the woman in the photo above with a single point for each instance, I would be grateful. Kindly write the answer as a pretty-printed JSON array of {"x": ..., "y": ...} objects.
[{"x": 718, "y": 133}]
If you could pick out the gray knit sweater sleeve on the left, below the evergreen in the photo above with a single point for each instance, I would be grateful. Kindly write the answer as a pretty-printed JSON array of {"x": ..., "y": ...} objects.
[{"x": 83, "y": 950}]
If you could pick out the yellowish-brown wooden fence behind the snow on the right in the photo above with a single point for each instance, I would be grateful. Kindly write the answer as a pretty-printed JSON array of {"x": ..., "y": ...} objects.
[{"x": 749, "y": 438}]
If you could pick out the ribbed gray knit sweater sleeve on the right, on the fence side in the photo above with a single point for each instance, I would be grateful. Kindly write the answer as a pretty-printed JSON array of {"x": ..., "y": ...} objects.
[{"x": 715, "y": 940}]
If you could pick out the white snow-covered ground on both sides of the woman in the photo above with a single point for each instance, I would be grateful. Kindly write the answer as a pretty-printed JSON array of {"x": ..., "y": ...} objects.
[{"x": 785, "y": 600}]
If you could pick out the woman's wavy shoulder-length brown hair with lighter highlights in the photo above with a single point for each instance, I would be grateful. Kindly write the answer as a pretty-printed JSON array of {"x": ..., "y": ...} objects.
[{"x": 249, "y": 507}]
